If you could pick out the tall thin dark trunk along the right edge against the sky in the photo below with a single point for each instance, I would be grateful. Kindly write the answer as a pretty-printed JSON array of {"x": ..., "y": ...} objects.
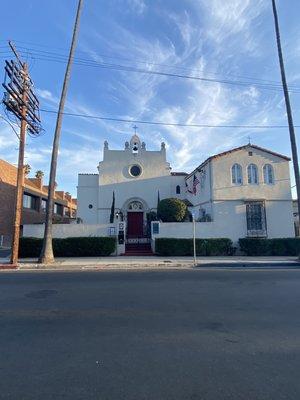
[{"x": 288, "y": 107}]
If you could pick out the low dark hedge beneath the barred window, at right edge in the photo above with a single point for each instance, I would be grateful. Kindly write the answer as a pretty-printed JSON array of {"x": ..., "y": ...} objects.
[{"x": 270, "y": 247}]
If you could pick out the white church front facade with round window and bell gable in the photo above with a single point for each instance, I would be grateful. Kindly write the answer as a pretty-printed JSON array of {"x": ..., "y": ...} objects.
[{"x": 95, "y": 191}]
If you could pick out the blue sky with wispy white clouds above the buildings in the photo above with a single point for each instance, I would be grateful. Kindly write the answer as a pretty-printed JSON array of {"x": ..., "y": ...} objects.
[{"x": 222, "y": 40}]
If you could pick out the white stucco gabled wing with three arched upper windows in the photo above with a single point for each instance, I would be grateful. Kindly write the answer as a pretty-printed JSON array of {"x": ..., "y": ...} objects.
[{"x": 247, "y": 190}]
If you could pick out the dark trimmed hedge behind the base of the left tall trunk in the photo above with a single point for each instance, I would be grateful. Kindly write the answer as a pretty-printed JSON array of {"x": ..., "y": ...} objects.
[{"x": 69, "y": 247}]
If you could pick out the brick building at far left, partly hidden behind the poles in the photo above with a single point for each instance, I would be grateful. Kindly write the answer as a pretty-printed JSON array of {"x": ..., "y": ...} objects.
[{"x": 34, "y": 202}]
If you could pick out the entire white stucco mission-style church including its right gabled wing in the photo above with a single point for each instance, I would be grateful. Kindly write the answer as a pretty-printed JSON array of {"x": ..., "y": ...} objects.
[{"x": 245, "y": 191}]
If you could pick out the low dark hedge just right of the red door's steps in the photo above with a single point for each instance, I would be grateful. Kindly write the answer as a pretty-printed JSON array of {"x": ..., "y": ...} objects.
[{"x": 184, "y": 247}]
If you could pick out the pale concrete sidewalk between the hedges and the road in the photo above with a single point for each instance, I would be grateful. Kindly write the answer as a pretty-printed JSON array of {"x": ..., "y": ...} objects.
[{"x": 72, "y": 263}]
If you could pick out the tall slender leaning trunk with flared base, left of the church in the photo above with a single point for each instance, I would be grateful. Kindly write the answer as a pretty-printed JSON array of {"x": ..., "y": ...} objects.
[{"x": 46, "y": 255}]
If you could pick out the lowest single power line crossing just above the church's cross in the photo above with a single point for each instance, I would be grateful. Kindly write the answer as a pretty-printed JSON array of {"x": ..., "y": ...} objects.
[{"x": 137, "y": 121}]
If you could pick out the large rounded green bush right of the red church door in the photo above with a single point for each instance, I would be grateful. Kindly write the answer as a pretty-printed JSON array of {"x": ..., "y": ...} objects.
[{"x": 171, "y": 210}]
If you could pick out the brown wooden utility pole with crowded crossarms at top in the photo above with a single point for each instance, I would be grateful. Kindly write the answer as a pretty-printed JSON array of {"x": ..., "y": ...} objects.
[{"x": 21, "y": 101}]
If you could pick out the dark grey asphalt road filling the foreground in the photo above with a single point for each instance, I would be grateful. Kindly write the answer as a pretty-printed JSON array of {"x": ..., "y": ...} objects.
[{"x": 218, "y": 334}]
